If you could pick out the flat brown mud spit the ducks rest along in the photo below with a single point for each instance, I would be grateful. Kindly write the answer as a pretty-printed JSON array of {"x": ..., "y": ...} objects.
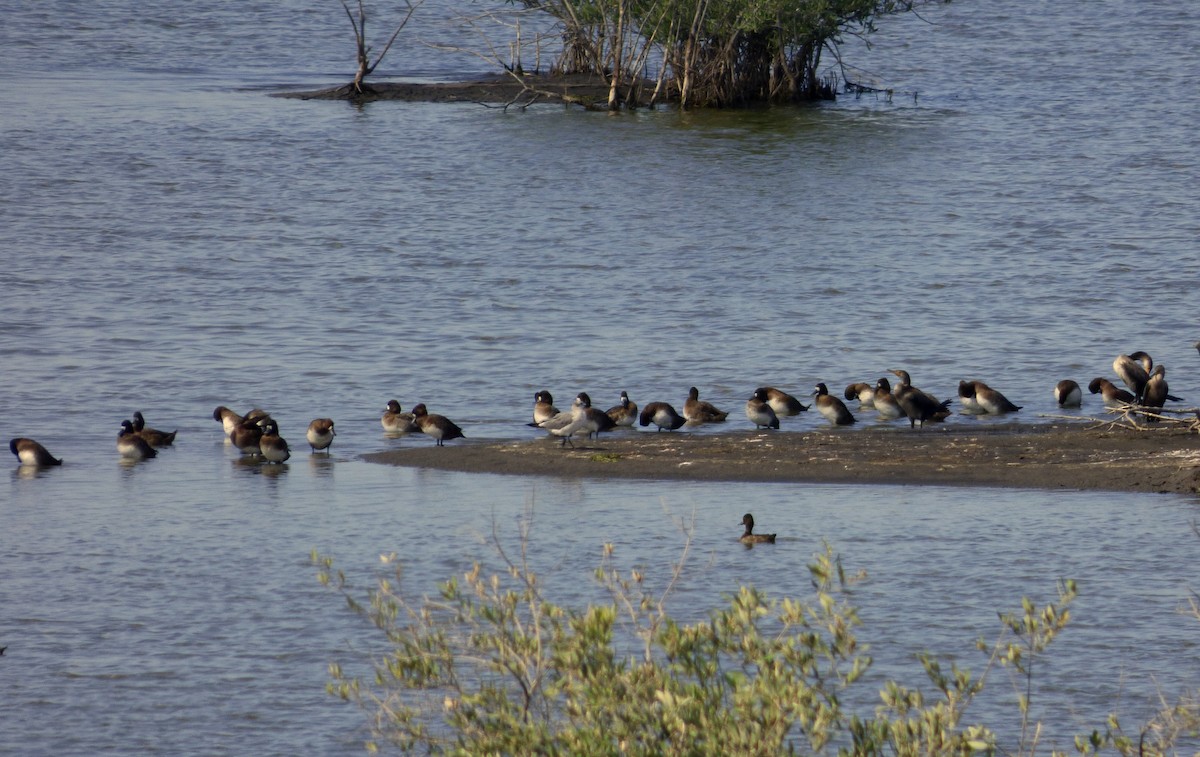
[{"x": 1054, "y": 456}]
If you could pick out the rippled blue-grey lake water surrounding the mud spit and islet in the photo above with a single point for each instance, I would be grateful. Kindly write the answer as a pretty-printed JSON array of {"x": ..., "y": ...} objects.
[{"x": 1021, "y": 211}]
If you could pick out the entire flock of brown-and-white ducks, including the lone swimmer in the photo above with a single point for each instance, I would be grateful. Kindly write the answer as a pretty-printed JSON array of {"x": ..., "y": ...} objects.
[{"x": 256, "y": 434}]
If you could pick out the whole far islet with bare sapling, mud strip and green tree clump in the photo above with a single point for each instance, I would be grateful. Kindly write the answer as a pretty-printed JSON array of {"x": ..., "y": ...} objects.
[{"x": 615, "y": 55}]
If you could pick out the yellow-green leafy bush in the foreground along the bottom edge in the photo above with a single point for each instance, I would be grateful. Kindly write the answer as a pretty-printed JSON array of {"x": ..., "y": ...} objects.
[{"x": 490, "y": 666}]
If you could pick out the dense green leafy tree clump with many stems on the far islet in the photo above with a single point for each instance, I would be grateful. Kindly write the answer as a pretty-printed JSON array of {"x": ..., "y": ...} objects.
[{"x": 713, "y": 53}]
